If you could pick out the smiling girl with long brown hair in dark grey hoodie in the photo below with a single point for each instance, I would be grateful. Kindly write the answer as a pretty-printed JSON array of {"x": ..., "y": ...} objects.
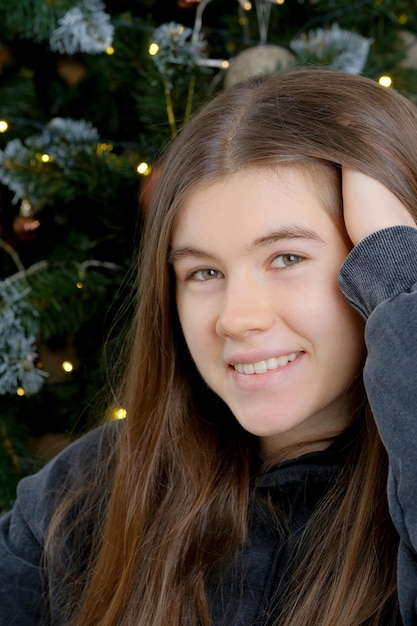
[{"x": 248, "y": 484}]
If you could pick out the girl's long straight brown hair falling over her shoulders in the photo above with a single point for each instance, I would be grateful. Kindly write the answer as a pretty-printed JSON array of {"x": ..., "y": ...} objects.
[{"x": 181, "y": 469}]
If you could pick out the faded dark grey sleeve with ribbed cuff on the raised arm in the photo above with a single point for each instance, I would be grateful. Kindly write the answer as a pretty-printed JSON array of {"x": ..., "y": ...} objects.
[{"x": 379, "y": 278}]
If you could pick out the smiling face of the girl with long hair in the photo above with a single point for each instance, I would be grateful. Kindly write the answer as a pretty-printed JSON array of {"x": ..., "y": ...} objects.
[{"x": 256, "y": 258}]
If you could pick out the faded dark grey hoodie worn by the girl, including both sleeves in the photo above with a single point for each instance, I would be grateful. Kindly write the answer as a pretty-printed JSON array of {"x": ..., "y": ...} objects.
[{"x": 379, "y": 278}]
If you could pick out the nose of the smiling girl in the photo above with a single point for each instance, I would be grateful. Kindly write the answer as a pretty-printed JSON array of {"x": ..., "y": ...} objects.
[{"x": 246, "y": 308}]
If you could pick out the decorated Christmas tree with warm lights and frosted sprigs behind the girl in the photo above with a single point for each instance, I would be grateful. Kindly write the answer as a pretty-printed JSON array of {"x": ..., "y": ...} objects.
[{"x": 90, "y": 94}]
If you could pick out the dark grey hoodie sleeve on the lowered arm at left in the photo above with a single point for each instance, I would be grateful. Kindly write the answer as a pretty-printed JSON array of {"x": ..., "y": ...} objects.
[{"x": 25, "y": 598}]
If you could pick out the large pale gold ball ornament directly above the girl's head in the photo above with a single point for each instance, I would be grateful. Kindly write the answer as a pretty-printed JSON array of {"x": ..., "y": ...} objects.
[{"x": 257, "y": 61}]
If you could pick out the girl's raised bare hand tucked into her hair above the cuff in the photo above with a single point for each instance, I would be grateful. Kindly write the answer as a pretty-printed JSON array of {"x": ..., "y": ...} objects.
[{"x": 369, "y": 206}]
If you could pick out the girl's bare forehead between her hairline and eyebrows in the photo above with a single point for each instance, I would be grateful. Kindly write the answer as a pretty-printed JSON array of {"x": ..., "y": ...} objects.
[{"x": 255, "y": 199}]
